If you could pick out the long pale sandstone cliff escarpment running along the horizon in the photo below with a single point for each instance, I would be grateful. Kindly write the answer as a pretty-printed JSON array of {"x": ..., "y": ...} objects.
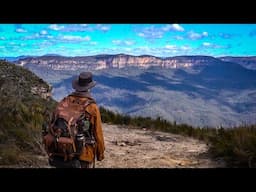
[{"x": 97, "y": 62}]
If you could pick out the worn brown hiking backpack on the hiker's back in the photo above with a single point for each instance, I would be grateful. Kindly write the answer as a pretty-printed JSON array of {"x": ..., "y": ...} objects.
[{"x": 69, "y": 130}]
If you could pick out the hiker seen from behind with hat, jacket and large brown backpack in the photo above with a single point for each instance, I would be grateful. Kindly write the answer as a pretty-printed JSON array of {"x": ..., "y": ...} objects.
[{"x": 74, "y": 137}]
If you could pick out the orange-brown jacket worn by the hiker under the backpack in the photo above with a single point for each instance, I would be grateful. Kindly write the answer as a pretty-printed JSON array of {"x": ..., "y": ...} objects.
[{"x": 89, "y": 152}]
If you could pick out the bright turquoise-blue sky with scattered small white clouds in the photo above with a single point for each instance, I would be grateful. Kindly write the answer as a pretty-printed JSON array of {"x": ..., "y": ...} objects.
[{"x": 162, "y": 40}]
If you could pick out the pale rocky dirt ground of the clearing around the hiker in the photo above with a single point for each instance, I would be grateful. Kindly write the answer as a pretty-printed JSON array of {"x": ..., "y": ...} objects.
[{"x": 136, "y": 148}]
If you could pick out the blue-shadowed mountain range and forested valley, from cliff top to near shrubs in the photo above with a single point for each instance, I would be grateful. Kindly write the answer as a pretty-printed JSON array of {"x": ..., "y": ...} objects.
[{"x": 197, "y": 90}]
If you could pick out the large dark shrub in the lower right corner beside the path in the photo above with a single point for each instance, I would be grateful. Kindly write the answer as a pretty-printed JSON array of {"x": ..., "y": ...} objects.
[{"x": 237, "y": 146}]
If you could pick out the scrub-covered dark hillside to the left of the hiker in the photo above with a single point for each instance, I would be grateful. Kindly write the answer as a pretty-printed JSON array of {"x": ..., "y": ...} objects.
[{"x": 22, "y": 113}]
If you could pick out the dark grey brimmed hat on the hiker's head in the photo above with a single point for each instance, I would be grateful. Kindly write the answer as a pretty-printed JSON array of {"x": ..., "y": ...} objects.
[{"x": 83, "y": 82}]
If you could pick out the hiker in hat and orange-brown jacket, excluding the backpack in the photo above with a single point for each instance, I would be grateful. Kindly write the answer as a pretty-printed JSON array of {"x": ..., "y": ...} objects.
[{"x": 82, "y": 97}]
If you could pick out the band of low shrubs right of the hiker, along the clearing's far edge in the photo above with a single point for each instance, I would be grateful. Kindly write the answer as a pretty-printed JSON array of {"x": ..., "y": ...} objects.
[{"x": 236, "y": 145}]
